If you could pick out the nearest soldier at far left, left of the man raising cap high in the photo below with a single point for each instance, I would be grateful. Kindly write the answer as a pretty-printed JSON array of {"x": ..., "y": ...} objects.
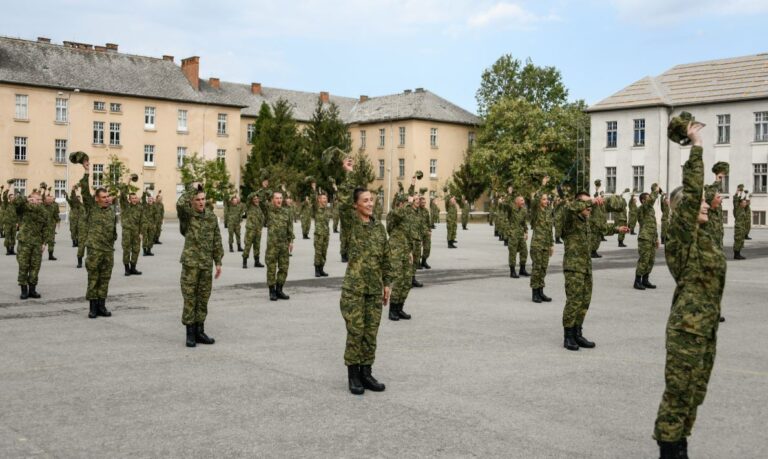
[{"x": 34, "y": 220}]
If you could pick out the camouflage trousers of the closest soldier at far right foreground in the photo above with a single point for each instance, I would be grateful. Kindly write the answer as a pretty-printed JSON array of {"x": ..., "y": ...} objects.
[{"x": 689, "y": 364}]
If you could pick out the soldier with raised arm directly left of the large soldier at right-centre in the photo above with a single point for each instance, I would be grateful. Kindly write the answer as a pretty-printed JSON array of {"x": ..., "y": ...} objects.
[{"x": 541, "y": 242}]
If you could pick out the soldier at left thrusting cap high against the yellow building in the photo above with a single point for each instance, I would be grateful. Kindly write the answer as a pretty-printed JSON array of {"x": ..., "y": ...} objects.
[{"x": 100, "y": 242}]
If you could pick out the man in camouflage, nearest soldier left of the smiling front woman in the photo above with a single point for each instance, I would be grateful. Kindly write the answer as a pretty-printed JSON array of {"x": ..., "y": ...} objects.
[{"x": 202, "y": 248}]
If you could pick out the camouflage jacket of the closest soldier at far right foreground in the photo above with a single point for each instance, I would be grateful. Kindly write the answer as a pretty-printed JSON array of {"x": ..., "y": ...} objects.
[{"x": 695, "y": 261}]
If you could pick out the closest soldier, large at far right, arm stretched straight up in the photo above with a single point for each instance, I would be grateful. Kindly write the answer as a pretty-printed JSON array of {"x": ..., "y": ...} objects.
[{"x": 698, "y": 266}]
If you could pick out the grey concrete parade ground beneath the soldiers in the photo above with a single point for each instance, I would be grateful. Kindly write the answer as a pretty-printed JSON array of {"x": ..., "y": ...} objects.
[{"x": 479, "y": 371}]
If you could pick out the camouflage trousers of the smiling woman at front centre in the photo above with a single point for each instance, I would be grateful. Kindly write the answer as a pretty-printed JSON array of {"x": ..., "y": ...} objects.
[{"x": 362, "y": 315}]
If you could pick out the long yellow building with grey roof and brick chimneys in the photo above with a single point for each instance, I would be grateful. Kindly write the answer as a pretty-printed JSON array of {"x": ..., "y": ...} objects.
[{"x": 151, "y": 112}]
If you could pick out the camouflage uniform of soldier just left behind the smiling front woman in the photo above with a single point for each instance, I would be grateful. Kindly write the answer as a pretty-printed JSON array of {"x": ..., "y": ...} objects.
[{"x": 279, "y": 236}]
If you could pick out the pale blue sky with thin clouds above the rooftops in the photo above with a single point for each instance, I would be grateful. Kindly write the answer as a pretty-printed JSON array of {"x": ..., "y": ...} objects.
[{"x": 351, "y": 48}]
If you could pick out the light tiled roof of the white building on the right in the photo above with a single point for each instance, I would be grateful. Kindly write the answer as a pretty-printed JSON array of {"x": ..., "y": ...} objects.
[{"x": 724, "y": 80}]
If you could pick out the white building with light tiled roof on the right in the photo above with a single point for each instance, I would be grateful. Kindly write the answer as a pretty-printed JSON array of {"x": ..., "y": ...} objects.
[{"x": 629, "y": 145}]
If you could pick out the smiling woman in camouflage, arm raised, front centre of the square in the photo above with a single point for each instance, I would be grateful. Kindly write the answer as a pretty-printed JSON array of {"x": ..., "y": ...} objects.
[{"x": 366, "y": 284}]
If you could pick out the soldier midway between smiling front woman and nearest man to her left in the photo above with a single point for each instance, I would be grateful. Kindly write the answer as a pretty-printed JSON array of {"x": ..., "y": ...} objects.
[{"x": 279, "y": 245}]
